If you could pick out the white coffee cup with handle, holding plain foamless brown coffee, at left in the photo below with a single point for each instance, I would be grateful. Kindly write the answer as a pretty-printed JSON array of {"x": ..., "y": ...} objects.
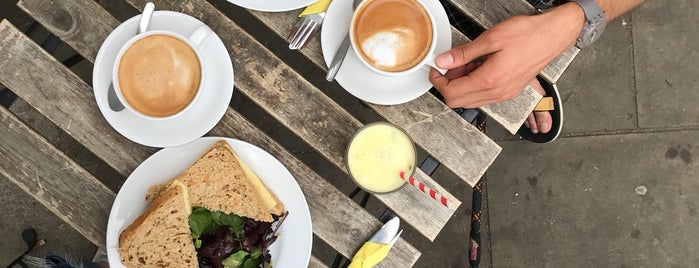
[{"x": 196, "y": 41}]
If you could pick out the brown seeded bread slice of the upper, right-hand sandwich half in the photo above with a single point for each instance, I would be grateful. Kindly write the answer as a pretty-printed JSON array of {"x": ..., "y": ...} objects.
[{"x": 216, "y": 181}]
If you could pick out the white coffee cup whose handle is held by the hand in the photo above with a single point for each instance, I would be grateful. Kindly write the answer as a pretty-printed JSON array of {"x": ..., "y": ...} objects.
[{"x": 427, "y": 61}]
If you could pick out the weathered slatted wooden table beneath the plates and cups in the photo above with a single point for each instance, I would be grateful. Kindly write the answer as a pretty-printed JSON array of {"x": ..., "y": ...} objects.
[{"x": 267, "y": 77}]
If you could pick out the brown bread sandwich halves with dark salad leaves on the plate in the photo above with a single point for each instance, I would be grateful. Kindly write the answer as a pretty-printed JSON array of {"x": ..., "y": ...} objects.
[{"x": 227, "y": 221}]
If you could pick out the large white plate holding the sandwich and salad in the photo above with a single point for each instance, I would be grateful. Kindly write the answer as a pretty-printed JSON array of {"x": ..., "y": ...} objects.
[{"x": 292, "y": 248}]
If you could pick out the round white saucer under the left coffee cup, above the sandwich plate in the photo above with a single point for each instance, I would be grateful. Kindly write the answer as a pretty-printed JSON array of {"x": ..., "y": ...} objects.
[{"x": 200, "y": 118}]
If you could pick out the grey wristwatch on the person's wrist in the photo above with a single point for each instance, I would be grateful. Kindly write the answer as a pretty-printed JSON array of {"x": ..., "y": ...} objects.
[{"x": 594, "y": 23}]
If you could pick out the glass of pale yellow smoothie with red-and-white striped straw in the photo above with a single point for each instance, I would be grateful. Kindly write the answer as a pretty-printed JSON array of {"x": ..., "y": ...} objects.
[{"x": 377, "y": 154}]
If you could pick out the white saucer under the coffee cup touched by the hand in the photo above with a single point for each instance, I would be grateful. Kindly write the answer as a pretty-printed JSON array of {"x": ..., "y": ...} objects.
[{"x": 359, "y": 80}]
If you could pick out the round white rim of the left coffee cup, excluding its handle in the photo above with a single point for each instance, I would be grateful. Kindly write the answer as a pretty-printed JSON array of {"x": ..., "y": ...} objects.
[{"x": 117, "y": 61}]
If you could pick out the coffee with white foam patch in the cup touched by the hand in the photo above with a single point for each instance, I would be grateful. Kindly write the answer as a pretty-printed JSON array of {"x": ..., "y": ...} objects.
[{"x": 393, "y": 35}]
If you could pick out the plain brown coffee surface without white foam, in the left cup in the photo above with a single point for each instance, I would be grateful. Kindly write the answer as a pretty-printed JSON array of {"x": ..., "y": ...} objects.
[{"x": 159, "y": 75}]
